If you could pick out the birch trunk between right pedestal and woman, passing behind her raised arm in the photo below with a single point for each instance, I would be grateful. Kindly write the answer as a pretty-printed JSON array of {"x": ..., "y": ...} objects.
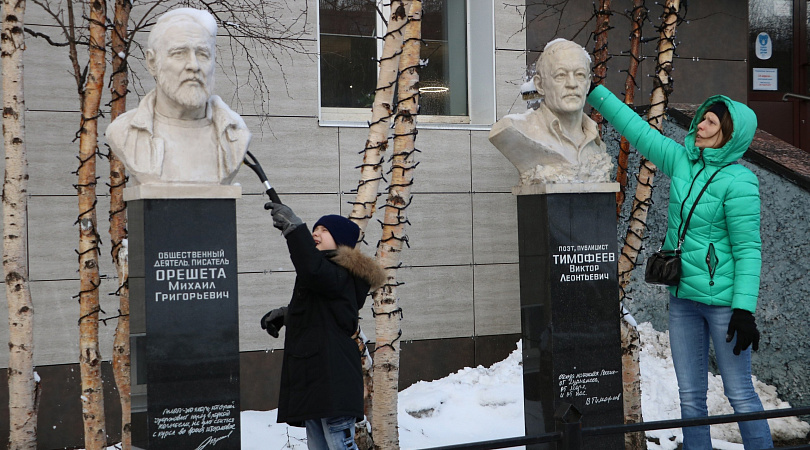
[{"x": 636, "y": 227}]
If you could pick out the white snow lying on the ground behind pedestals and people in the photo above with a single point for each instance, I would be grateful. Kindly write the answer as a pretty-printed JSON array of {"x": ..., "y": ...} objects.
[{"x": 478, "y": 404}]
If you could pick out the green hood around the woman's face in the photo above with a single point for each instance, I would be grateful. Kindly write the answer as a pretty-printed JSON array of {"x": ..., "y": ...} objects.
[{"x": 745, "y": 125}]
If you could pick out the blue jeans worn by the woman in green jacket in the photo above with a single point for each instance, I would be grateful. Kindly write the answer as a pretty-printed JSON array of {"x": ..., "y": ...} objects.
[{"x": 691, "y": 325}]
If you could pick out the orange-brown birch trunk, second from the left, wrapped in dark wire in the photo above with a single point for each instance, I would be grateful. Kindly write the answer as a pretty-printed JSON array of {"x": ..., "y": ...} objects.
[{"x": 92, "y": 398}]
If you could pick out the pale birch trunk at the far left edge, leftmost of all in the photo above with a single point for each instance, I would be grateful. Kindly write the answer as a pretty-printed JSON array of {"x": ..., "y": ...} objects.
[{"x": 22, "y": 383}]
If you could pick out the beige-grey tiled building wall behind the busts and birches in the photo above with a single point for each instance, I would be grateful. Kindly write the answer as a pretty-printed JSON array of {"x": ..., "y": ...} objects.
[{"x": 460, "y": 272}]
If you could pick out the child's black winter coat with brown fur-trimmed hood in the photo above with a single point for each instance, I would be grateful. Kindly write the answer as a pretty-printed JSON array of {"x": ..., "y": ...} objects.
[{"x": 321, "y": 375}]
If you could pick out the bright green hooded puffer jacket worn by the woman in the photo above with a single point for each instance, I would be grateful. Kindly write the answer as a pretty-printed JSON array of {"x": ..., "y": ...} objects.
[{"x": 721, "y": 252}]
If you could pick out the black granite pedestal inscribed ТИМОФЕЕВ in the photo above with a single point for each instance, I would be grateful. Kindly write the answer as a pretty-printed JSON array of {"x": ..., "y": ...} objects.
[{"x": 570, "y": 311}]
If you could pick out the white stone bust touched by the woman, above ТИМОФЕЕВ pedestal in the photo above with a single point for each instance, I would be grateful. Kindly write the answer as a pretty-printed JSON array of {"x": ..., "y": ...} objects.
[{"x": 557, "y": 142}]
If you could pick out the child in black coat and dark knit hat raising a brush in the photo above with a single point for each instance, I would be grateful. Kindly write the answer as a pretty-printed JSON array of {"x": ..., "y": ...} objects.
[{"x": 321, "y": 377}]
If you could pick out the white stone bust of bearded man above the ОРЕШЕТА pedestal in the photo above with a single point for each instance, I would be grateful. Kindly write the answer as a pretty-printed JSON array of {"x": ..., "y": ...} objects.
[{"x": 181, "y": 133}]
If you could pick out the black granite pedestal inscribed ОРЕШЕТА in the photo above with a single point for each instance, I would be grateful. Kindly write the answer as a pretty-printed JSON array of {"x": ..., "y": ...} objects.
[{"x": 183, "y": 285}]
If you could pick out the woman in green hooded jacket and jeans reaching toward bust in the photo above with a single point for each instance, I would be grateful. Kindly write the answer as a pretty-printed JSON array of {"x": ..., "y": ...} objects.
[{"x": 720, "y": 253}]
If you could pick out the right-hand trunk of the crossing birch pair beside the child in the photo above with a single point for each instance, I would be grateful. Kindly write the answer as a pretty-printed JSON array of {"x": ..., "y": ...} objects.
[{"x": 387, "y": 312}]
